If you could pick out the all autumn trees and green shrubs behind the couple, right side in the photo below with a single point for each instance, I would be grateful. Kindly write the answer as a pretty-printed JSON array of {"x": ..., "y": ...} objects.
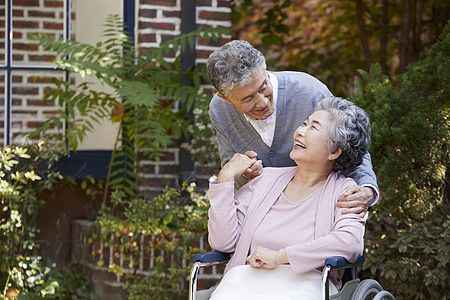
[{"x": 392, "y": 58}]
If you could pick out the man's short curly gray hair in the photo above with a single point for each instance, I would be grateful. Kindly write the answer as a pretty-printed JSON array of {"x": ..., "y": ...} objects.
[{"x": 233, "y": 64}]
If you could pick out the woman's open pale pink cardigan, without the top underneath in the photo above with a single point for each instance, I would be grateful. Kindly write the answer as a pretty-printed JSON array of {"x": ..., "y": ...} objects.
[{"x": 233, "y": 218}]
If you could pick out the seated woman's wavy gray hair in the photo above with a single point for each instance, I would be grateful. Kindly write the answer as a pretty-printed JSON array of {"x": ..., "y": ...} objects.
[{"x": 349, "y": 130}]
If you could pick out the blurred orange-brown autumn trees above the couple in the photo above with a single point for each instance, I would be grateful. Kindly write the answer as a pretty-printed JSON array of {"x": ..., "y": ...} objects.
[{"x": 332, "y": 39}]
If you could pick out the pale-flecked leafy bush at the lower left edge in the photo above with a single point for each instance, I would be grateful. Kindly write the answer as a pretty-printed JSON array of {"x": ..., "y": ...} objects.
[{"x": 25, "y": 173}]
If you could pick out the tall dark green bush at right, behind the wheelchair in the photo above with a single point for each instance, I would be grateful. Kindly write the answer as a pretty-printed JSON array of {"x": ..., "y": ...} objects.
[{"x": 409, "y": 229}]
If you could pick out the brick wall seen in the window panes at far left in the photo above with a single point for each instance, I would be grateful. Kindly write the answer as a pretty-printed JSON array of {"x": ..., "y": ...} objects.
[{"x": 28, "y": 87}]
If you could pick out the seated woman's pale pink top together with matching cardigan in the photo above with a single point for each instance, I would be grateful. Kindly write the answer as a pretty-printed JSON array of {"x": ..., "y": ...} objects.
[{"x": 315, "y": 230}]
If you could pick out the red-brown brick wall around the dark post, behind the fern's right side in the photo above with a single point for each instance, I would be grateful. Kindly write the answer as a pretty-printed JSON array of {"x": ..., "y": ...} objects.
[{"x": 159, "y": 21}]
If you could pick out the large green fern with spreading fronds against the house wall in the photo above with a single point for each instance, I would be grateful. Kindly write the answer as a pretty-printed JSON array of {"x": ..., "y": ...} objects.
[{"x": 147, "y": 86}]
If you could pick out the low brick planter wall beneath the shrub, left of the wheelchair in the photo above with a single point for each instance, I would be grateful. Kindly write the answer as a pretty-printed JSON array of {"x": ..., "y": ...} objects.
[{"x": 96, "y": 256}]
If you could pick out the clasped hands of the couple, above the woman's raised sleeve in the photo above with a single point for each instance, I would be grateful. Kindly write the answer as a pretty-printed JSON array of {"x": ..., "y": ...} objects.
[{"x": 236, "y": 166}]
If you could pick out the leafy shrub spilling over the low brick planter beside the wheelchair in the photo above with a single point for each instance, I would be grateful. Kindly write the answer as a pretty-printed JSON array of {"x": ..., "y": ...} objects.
[{"x": 176, "y": 219}]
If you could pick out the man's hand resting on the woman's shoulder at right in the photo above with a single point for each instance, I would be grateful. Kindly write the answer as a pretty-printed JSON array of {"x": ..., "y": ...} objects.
[{"x": 356, "y": 200}]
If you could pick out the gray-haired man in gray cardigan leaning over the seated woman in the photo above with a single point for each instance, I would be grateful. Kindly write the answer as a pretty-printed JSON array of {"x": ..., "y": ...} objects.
[{"x": 254, "y": 112}]
